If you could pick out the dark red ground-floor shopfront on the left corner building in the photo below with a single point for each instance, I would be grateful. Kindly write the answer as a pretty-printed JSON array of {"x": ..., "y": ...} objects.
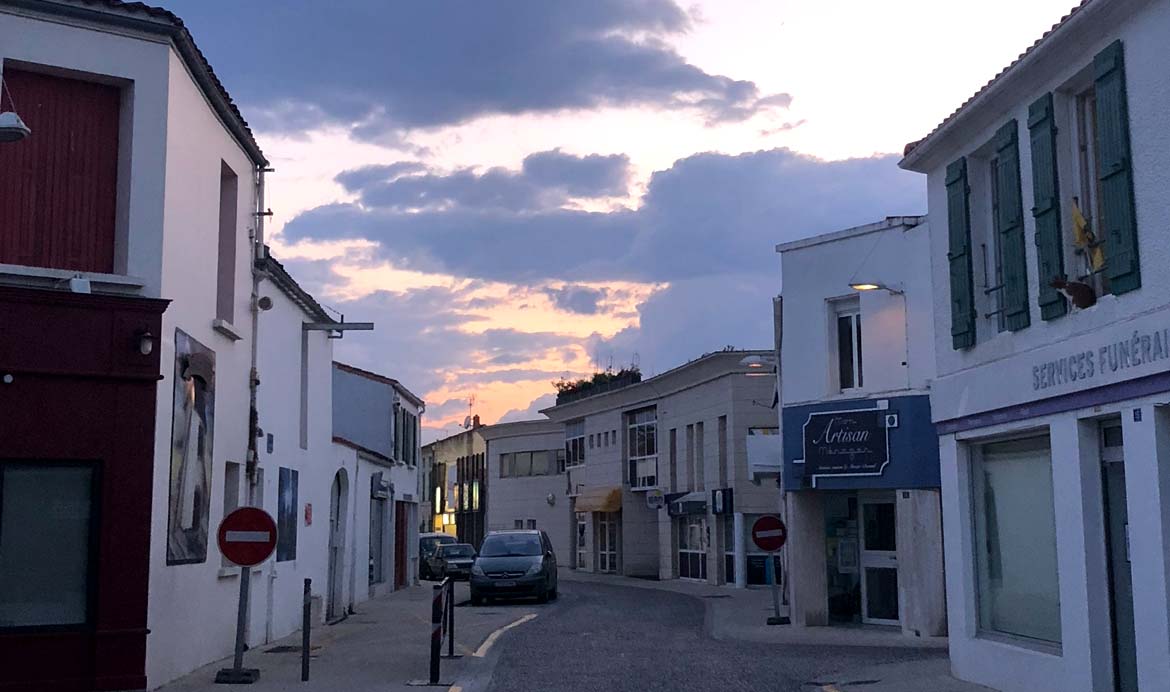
[{"x": 77, "y": 389}]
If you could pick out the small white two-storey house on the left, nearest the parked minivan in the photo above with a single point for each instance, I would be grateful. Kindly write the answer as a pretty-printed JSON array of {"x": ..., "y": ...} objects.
[{"x": 377, "y": 423}]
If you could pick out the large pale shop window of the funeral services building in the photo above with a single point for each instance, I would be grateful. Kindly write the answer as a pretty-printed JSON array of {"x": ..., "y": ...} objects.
[{"x": 1018, "y": 587}]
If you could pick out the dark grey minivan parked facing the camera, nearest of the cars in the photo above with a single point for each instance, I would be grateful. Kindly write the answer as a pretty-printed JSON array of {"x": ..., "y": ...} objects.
[{"x": 515, "y": 564}]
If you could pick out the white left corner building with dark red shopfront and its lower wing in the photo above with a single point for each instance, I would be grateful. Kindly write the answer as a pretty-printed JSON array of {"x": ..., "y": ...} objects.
[{"x": 160, "y": 368}]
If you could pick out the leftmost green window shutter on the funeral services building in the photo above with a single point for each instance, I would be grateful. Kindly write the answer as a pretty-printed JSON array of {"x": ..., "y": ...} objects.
[{"x": 959, "y": 224}]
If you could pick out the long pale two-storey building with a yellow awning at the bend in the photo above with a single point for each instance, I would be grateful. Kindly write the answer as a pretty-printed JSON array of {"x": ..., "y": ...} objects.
[{"x": 658, "y": 479}]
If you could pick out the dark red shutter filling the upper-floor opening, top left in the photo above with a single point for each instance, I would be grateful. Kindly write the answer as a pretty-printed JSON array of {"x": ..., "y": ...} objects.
[{"x": 60, "y": 186}]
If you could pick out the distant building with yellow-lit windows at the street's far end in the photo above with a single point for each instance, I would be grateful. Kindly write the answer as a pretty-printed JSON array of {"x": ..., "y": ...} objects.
[{"x": 459, "y": 484}]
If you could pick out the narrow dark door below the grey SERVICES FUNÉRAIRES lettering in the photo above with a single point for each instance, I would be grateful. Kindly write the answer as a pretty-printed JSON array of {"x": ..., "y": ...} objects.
[{"x": 1121, "y": 588}]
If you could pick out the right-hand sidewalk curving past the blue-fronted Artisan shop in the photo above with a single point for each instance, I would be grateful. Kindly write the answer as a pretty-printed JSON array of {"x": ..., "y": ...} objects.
[{"x": 742, "y": 615}]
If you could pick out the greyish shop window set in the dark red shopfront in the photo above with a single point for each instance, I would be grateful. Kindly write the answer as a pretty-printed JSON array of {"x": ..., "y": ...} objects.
[{"x": 46, "y": 544}]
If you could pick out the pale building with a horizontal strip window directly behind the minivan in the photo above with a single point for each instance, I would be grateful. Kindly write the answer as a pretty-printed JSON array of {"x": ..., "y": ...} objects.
[{"x": 527, "y": 483}]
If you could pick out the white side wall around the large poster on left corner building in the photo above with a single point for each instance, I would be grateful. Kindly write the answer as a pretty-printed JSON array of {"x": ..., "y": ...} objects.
[{"x": 192, "y": 607}]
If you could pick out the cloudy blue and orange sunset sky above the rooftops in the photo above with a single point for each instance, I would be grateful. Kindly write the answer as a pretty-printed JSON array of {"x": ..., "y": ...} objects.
[{"x": 522, "y": 191}]
